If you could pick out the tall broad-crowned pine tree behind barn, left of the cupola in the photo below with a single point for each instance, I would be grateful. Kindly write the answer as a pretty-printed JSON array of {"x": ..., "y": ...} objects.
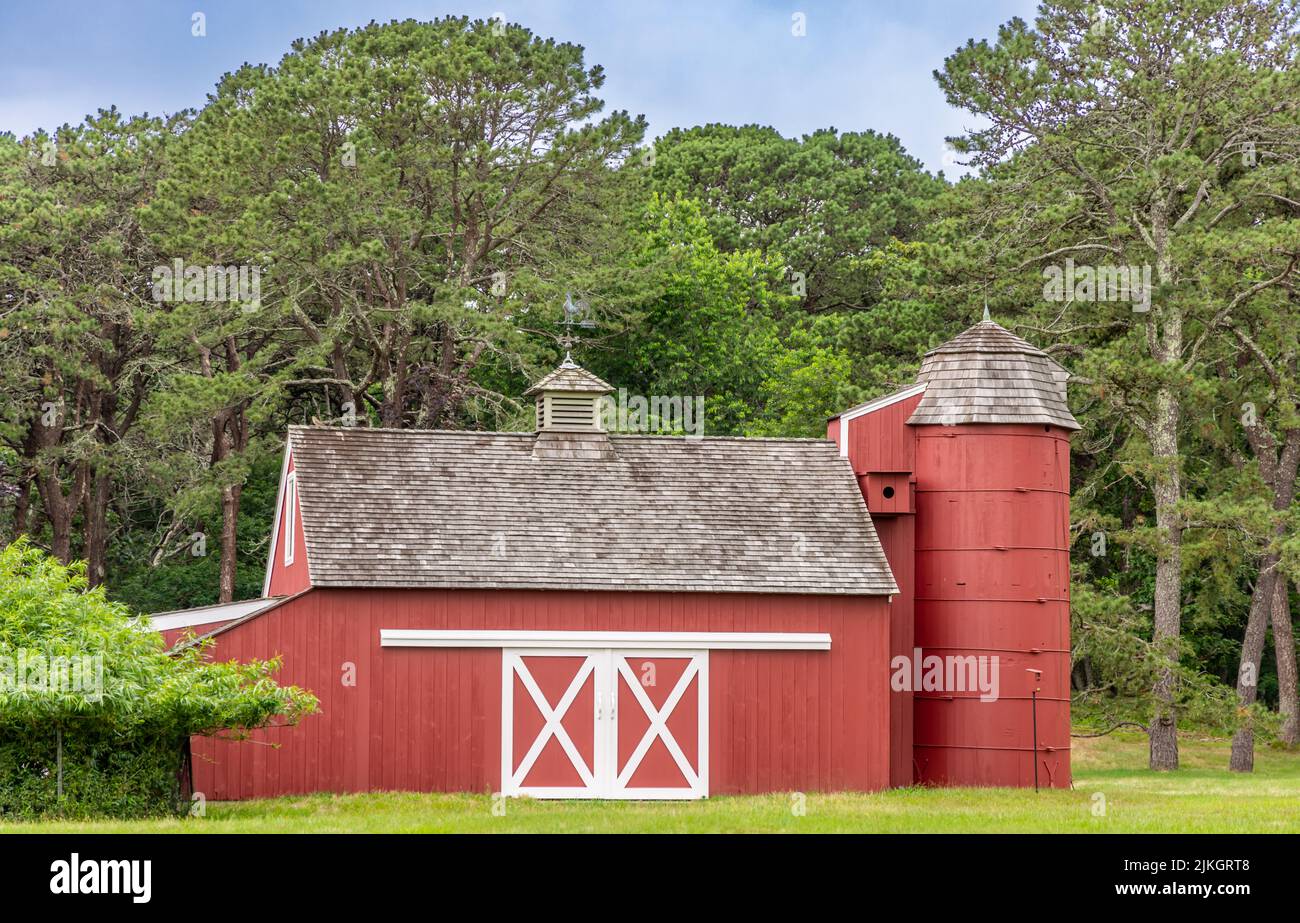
[{"x": 421, "y": 194}]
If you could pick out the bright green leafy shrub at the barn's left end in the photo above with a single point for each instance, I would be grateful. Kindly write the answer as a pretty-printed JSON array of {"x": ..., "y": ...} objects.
[{"x": 96, "y": 713}]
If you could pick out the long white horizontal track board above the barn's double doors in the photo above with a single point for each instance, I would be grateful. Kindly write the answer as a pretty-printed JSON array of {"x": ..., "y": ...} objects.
[{"x": 431, "y": 638}]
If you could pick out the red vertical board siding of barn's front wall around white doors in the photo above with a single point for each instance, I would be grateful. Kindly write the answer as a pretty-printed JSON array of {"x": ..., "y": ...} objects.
[{"x": 430, "y": 720}]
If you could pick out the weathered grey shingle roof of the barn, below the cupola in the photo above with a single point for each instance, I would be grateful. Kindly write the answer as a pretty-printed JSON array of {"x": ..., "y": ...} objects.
[{"x": 483, "y": 510}]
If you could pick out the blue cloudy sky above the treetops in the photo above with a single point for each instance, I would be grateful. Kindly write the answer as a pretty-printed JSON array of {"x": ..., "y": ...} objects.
[{"x": 859, "y": 66}]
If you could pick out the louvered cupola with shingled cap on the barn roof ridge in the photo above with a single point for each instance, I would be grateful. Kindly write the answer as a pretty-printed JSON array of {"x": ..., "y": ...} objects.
[{"x": 570, "y": 419}]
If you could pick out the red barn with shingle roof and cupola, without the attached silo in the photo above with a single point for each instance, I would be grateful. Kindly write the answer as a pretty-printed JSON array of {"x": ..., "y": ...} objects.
[{"x": 569, "y": 614}]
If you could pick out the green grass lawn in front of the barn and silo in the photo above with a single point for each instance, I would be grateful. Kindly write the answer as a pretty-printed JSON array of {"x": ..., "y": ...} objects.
[{"x": 1201, "y": 799}]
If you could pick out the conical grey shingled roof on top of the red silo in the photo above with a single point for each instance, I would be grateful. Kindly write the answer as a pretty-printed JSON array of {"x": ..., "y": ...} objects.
[{"x": 990, "y": 375}]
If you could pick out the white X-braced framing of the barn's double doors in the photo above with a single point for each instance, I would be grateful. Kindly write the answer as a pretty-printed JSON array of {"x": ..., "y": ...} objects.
[{"x": 608, "y": 670}]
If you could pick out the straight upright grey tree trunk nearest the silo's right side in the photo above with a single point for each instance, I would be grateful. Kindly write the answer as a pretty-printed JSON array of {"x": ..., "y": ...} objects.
[{"x": 1169, "y": 573}]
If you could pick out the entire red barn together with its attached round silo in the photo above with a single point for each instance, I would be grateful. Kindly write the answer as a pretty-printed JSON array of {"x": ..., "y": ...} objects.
[{"x": 571, "y": 613}]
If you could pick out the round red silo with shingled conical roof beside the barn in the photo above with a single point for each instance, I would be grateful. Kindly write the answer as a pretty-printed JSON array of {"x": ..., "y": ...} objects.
[{"x": 993, "y": 605}]
